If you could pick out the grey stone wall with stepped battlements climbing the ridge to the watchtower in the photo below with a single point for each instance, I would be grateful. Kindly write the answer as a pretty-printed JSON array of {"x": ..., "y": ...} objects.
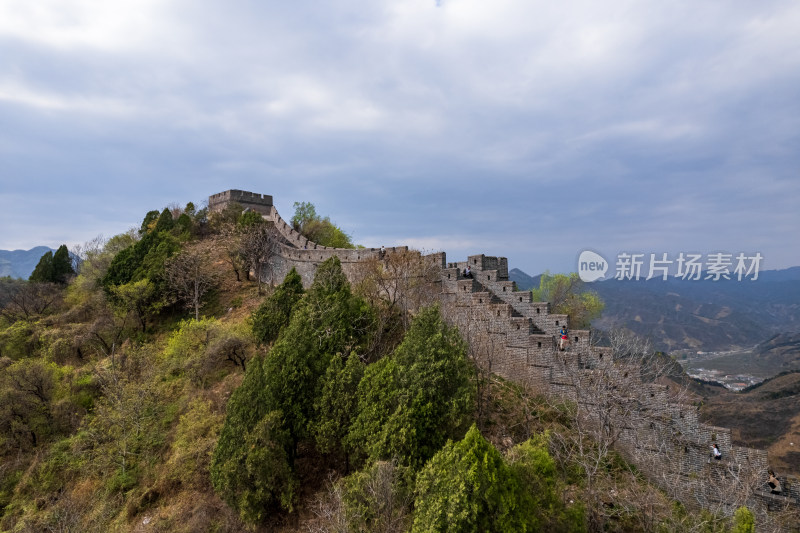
[{"x": 660, "y": 433}]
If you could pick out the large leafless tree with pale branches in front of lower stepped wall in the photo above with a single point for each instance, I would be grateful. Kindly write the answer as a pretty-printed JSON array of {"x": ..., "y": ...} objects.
[{"x": 616, "y": 396}]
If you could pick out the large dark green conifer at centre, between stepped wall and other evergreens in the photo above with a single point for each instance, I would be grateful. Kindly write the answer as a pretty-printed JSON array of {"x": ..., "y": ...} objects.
[{"x": 412, "y": 401}]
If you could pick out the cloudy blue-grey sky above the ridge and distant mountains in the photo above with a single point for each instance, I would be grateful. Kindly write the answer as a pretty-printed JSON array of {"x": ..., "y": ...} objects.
[{"x": 525, "y": 129}]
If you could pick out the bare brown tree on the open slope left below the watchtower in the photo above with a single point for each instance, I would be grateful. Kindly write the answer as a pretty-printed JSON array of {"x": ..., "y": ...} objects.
[{"x": 190, "y": 277}]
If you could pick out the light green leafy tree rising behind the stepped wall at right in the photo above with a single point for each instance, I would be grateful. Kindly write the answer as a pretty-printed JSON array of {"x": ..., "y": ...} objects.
[{"x": 567, "y": 295}]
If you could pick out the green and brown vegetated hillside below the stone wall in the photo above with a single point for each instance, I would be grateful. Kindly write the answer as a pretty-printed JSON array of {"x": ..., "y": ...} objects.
[{"x": 162, "y": 388}]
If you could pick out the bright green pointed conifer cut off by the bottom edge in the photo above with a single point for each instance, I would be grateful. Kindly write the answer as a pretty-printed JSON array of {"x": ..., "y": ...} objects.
[{"x": 467, "y": 487}]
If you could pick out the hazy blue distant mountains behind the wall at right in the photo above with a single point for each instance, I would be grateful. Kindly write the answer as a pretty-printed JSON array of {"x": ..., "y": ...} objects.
[{"x": 699, "y": 315}]
